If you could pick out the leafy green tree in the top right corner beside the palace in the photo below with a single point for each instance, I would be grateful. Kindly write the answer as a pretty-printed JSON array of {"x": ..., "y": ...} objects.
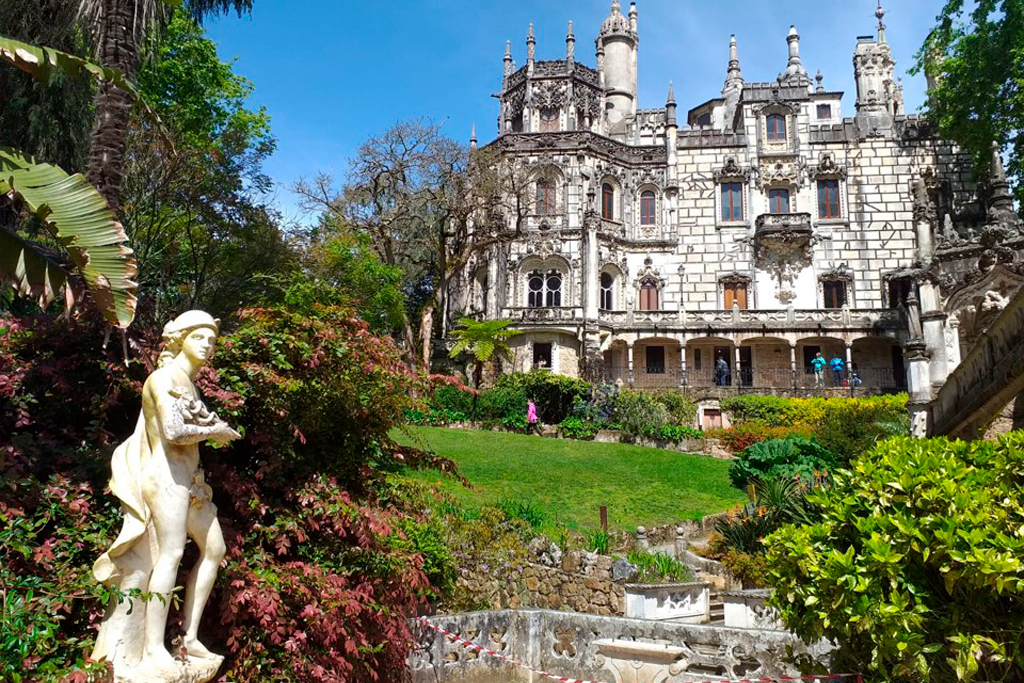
[{"x": 974, "y": 59}]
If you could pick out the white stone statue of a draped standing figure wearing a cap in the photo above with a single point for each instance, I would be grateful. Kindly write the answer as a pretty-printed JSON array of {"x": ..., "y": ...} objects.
[{"x": 165, "y": 501}]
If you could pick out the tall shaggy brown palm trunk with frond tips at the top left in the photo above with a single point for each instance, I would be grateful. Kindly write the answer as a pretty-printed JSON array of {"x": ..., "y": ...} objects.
[{"x": 119, "y": 29}]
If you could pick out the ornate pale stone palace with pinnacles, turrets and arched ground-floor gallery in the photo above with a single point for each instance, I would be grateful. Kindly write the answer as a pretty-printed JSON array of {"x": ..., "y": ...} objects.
[{"x": 762, "y": 230}]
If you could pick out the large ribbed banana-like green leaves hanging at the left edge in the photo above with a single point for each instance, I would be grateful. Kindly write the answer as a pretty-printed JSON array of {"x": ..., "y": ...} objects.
[{"x": 73, "y": 214}]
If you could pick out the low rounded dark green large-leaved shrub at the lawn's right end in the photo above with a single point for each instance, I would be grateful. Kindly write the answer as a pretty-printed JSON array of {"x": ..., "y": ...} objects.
[{"x": 781, "y": 458}]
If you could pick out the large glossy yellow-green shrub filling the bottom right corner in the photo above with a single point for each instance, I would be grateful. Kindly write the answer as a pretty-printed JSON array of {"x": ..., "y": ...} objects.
[{"x": 916, "y": 569}]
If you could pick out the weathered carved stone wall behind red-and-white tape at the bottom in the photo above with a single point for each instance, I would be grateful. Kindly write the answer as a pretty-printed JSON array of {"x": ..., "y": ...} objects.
[{"x": 585, "y": 647}]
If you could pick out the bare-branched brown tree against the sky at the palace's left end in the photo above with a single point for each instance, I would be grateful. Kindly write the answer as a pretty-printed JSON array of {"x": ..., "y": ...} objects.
[{"x": 431, "y": 206}]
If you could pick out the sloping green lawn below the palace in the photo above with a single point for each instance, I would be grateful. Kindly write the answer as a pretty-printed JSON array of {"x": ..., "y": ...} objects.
[{"x": 570, "y": 481}]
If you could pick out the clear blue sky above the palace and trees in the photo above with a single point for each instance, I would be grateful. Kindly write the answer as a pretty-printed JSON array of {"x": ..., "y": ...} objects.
[{"x": 333, "y": 72}]
